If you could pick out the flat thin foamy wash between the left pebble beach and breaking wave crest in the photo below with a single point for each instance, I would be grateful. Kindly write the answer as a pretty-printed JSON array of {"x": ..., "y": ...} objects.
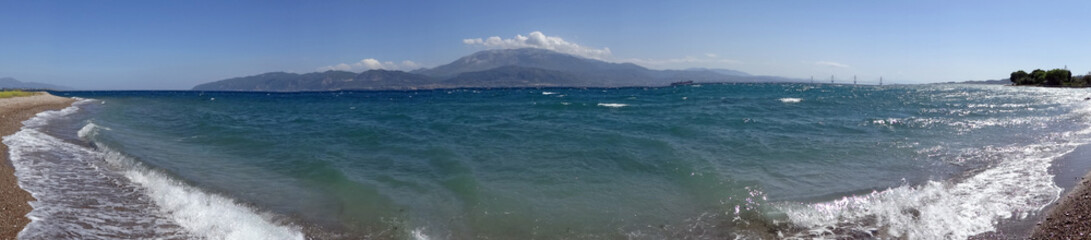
[{"x": 76, "y": 199}]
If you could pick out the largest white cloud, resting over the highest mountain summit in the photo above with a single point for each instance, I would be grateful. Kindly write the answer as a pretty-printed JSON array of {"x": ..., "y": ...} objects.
[{"x": 537, "y": 40}]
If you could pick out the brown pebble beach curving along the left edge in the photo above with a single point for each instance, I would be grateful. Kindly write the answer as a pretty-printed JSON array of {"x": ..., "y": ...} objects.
[{"x": 14, "y": 112}]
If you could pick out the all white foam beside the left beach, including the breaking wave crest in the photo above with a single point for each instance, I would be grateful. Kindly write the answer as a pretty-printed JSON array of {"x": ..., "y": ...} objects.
[{"x": 88, "y": 194}]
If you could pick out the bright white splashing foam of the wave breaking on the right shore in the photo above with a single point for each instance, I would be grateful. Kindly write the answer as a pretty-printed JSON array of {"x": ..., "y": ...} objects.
[{"x": 1015, "y": 188}]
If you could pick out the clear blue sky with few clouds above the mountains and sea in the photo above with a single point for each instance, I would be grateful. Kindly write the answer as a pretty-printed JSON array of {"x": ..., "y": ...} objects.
[{"x": 176, "y": 45}]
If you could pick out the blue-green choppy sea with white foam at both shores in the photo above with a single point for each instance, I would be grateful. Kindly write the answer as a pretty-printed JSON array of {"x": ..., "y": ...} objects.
[{"x": 690, "y": 162}]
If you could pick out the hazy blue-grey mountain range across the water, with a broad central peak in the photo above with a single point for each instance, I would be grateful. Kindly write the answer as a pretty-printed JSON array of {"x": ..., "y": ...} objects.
[{"x": 501, "y": 68}]
